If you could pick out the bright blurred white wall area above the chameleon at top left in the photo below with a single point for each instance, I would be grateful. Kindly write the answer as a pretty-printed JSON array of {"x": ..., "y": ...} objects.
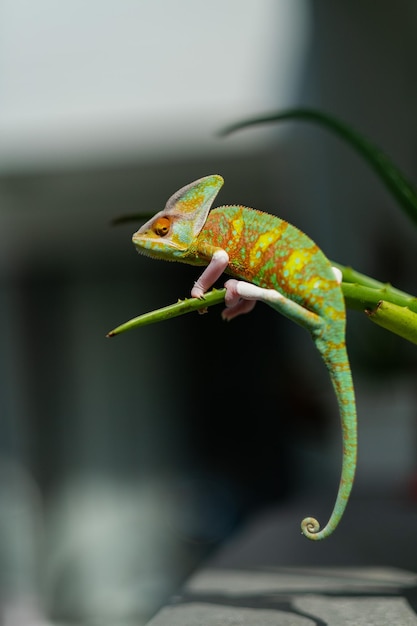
[{"x": 100, "y": 79}]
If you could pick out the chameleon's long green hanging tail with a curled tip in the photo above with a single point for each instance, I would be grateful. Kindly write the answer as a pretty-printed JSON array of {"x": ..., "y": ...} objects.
[{"x": 336, "y": 360}]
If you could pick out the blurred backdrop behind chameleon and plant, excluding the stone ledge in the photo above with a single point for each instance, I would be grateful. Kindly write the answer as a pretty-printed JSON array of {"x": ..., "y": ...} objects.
[{"x": 125, "y": 462}]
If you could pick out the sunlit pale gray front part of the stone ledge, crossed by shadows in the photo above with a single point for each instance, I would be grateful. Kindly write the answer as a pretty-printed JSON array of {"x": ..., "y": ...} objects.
[{"x": 364, "y": 596}]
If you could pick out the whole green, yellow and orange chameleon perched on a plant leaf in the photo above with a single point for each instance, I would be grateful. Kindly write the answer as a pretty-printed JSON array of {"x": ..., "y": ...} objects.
[{"x": 271, "y": 261}]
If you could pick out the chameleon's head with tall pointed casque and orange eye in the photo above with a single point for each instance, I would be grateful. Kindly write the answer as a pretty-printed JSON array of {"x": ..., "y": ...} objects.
[{"x": 169, "y": 234}]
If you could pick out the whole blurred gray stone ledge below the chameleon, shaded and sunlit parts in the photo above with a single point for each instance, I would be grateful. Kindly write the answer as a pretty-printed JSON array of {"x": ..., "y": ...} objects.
[{"x": 267, "y": 573}]
